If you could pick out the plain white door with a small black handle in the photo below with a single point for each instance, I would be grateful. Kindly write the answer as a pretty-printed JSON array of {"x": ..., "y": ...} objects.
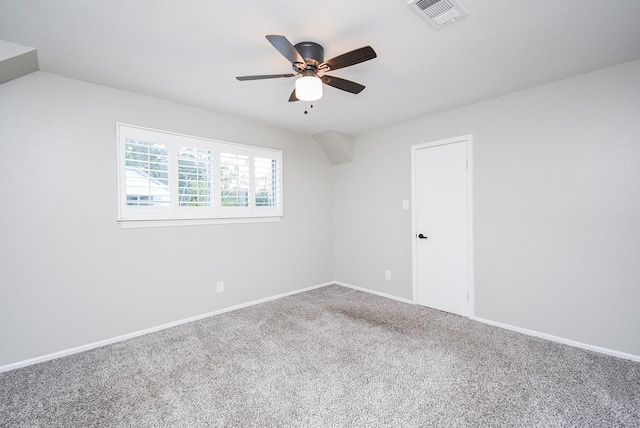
[{"x": 441, "y": 224}]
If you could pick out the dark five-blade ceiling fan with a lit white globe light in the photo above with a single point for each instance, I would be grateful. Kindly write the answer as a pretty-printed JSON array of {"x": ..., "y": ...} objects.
[{"x": 307, "y": 61}]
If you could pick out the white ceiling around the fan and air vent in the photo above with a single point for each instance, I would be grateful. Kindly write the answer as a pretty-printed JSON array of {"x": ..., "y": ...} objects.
[{"x": 190, "y": 51}]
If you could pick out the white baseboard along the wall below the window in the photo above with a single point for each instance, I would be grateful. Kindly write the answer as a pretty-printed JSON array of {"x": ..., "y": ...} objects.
[{"x": 116, "y": 339}]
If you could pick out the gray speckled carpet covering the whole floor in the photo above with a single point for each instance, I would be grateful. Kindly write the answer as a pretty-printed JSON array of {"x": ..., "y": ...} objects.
[{"x": 331, "y": 357}]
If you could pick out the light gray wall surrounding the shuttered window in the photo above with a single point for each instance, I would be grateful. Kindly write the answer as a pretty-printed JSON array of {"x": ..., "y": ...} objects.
[{"x": 69, "y": 276}]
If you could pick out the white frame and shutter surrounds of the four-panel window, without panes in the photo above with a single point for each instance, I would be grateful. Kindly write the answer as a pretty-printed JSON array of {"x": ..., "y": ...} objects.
[{"x": 174, "y": 214}]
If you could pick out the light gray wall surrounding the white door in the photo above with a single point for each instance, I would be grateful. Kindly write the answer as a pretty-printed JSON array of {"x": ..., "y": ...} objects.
[{"x": 556, "y": 207}]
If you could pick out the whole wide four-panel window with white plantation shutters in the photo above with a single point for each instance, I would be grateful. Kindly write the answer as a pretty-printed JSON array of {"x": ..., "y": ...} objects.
[{"x": 164, "y": 177}]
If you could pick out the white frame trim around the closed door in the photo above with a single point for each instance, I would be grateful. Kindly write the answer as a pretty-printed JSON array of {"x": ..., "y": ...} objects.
[{"x": 470, "y": 256}]
